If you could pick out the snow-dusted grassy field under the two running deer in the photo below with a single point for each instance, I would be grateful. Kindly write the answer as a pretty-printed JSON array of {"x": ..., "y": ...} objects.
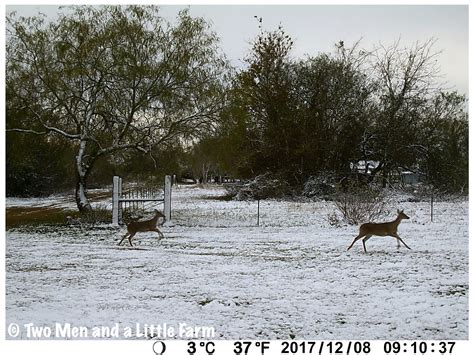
[{"x": 291, "y": 277}]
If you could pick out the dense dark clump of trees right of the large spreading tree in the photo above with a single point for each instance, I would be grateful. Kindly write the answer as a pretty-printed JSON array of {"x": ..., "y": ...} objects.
[{"x": 327, "y": 113}]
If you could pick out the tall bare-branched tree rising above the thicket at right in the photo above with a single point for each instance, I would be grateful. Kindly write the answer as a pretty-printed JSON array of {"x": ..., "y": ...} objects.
[{"x": 406, "y": 81}]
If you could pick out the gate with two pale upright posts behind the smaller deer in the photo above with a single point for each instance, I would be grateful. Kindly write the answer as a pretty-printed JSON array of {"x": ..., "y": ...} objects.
[{"x": 133, "y": 197}]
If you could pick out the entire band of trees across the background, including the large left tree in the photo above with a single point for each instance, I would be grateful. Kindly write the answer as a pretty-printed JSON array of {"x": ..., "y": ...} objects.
[{"x": 119, "y": 90}]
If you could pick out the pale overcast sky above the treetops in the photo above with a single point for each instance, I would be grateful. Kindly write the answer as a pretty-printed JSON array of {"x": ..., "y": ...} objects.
[{"x": 315, "y": 28}]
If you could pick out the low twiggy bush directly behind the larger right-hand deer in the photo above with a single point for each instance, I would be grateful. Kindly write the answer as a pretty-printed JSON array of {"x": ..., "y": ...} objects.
[{"x": 361, "y": 205}]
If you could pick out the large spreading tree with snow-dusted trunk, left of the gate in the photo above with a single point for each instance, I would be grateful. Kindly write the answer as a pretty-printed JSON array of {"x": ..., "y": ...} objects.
[{"x": 111, "y": 79}]
